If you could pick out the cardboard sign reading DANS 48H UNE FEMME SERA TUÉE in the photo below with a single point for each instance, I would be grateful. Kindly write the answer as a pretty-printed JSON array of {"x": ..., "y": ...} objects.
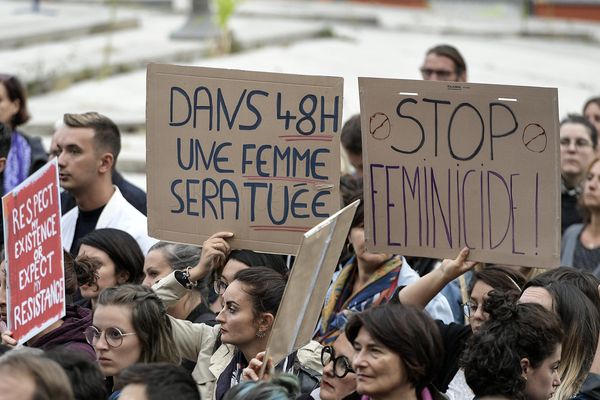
[{"x": 253, "y": 153}]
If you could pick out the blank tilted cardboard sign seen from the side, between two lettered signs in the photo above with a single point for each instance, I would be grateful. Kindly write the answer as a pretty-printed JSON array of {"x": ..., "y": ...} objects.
[{"x": 307, "y": 286}]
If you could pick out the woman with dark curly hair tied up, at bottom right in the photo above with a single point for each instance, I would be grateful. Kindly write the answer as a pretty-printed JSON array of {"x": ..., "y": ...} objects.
[{"x": 516, "y": 354}]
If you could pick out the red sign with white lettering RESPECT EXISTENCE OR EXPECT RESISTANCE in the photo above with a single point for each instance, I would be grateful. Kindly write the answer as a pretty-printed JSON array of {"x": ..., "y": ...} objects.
[{"x": 35, "y": 295}]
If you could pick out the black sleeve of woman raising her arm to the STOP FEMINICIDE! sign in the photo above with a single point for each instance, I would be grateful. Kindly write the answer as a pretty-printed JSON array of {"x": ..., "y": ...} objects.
[{"x": 454, "y": 338}]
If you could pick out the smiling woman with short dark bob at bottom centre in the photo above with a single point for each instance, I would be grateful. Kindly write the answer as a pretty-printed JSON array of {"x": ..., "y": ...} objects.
[{"x": 396, "y": 352}]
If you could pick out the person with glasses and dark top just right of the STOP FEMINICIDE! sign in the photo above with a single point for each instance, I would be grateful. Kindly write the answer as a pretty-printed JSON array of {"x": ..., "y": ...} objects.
[{"x": 578, "y": 141}]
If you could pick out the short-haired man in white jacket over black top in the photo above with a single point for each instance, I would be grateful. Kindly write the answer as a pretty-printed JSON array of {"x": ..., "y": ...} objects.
[{"x": 87, "y": 149}]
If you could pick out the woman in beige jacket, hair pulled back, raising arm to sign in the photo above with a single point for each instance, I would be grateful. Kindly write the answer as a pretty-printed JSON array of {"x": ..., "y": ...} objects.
[{"x": 251, "y": 302}]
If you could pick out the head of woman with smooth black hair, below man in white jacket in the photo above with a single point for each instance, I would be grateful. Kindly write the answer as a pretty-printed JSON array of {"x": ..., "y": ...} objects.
[{"x": 120, "y": 261}]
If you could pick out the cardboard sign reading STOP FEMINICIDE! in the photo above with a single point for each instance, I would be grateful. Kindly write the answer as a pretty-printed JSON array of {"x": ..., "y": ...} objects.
[{"x": 449, "y": 165}]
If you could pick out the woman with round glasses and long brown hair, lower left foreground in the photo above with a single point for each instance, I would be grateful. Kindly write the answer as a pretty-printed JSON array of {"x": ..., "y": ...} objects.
[{"x": 130, "y": 326}]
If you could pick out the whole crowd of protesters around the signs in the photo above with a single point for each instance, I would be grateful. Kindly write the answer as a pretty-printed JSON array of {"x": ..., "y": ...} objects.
[{"x": 147, "y": 319}]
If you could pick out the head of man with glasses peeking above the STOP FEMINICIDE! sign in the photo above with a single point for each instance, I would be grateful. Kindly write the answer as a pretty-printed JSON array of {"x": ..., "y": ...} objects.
[{"x": 444, "y": 63}]
